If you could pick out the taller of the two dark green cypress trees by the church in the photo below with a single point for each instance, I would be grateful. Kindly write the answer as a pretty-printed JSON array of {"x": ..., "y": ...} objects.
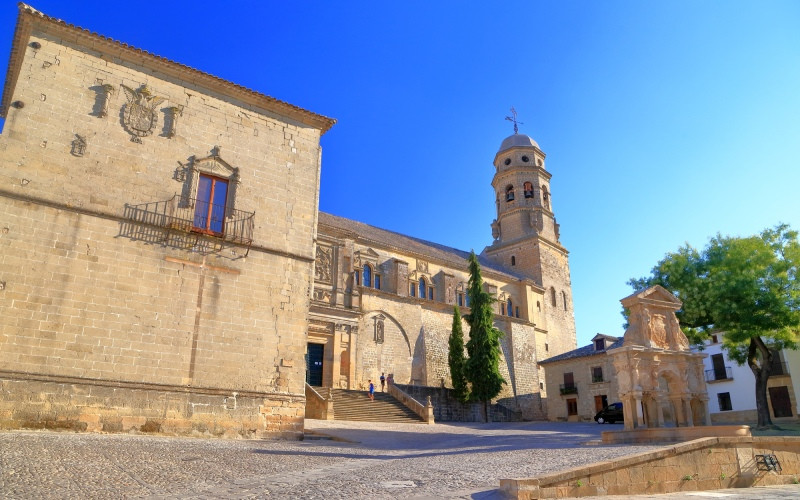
[{"x": 482, "y": 369}]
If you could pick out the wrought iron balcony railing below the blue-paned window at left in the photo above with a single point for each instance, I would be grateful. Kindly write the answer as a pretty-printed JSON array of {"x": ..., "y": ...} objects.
[{"x": 196, "y": 216}]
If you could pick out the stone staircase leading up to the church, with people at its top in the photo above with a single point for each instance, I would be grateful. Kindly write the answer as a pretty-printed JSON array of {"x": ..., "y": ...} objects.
[{"x": 355, "y": 405}]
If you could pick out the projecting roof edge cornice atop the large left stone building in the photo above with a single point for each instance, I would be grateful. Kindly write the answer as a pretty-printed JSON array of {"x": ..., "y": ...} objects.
[{"x": 29, "y": 18}]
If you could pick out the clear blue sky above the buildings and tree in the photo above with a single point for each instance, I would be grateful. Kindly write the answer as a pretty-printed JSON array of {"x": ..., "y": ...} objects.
[{"x": 663, "y": 122}]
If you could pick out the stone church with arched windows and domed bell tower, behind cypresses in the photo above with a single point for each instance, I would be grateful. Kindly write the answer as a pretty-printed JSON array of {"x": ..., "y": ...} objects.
[{"x": 383, "y": 302}]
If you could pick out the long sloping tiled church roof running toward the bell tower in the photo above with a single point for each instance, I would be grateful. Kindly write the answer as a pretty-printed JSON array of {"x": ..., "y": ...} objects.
[{"x": 371, "y": 235}]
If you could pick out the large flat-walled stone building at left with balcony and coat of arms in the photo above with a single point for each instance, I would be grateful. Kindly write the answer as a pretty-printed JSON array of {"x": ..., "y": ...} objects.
[{"x": 125, "y": 303}]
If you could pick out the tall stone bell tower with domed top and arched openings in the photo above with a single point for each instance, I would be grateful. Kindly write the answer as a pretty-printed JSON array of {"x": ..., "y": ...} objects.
[{"x": 526, "y": 237}]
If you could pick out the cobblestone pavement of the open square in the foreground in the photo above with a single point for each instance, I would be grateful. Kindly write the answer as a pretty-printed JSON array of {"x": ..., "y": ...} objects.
[{"x": 372, "y": 461}]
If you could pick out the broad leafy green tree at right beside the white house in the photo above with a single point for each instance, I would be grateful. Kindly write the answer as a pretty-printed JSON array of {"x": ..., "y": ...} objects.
[{"x": 744, "y": 287}]
